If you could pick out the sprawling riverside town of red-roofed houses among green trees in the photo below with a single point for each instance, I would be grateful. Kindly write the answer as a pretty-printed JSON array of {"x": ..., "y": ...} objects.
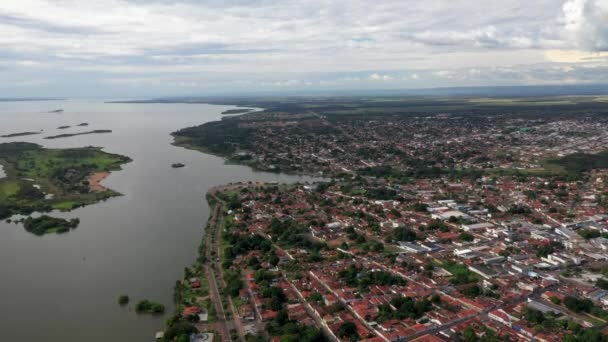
[{"x": 501, "y": 234}]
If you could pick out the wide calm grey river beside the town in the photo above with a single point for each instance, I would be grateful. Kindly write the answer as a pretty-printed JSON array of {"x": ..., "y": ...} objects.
[{"x": 65, "y": 287}]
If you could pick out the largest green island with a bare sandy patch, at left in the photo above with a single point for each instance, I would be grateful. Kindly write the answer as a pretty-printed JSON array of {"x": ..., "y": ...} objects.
[{"x": 40, "y": 180}]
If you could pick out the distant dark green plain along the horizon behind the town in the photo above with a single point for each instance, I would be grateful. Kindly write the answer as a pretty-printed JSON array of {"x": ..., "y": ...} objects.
[{"x": 373, "y": 106}]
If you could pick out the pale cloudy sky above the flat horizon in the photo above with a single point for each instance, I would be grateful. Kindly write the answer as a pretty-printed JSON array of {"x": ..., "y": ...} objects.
[{"x": 72, "y": 48}]
